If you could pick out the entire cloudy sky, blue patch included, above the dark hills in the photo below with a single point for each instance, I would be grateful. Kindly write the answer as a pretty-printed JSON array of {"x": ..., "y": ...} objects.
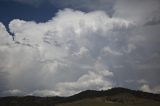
[{"x": 62, "y": 47}]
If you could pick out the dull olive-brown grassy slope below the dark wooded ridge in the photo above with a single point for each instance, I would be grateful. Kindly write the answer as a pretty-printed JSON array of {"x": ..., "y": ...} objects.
[{"x": 103, "y": 102}]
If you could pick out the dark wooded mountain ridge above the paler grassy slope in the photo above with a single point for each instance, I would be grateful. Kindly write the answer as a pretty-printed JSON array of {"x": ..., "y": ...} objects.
[{"x": 118, "y": 95}]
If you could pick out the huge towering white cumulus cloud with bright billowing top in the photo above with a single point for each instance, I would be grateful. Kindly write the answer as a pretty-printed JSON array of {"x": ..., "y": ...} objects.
[{"x": 64, "y": 55}]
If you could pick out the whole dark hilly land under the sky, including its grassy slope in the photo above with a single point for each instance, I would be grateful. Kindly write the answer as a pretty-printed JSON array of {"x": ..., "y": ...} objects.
[{"x": 111, "y": 97}]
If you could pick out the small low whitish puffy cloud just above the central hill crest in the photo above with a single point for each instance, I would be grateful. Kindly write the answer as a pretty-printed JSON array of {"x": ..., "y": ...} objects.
[{"x": 85, "y": 82}]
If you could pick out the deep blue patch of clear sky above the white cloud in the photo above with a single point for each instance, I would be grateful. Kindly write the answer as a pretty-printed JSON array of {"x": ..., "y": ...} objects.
[{"x": 14, "y": 10}]
